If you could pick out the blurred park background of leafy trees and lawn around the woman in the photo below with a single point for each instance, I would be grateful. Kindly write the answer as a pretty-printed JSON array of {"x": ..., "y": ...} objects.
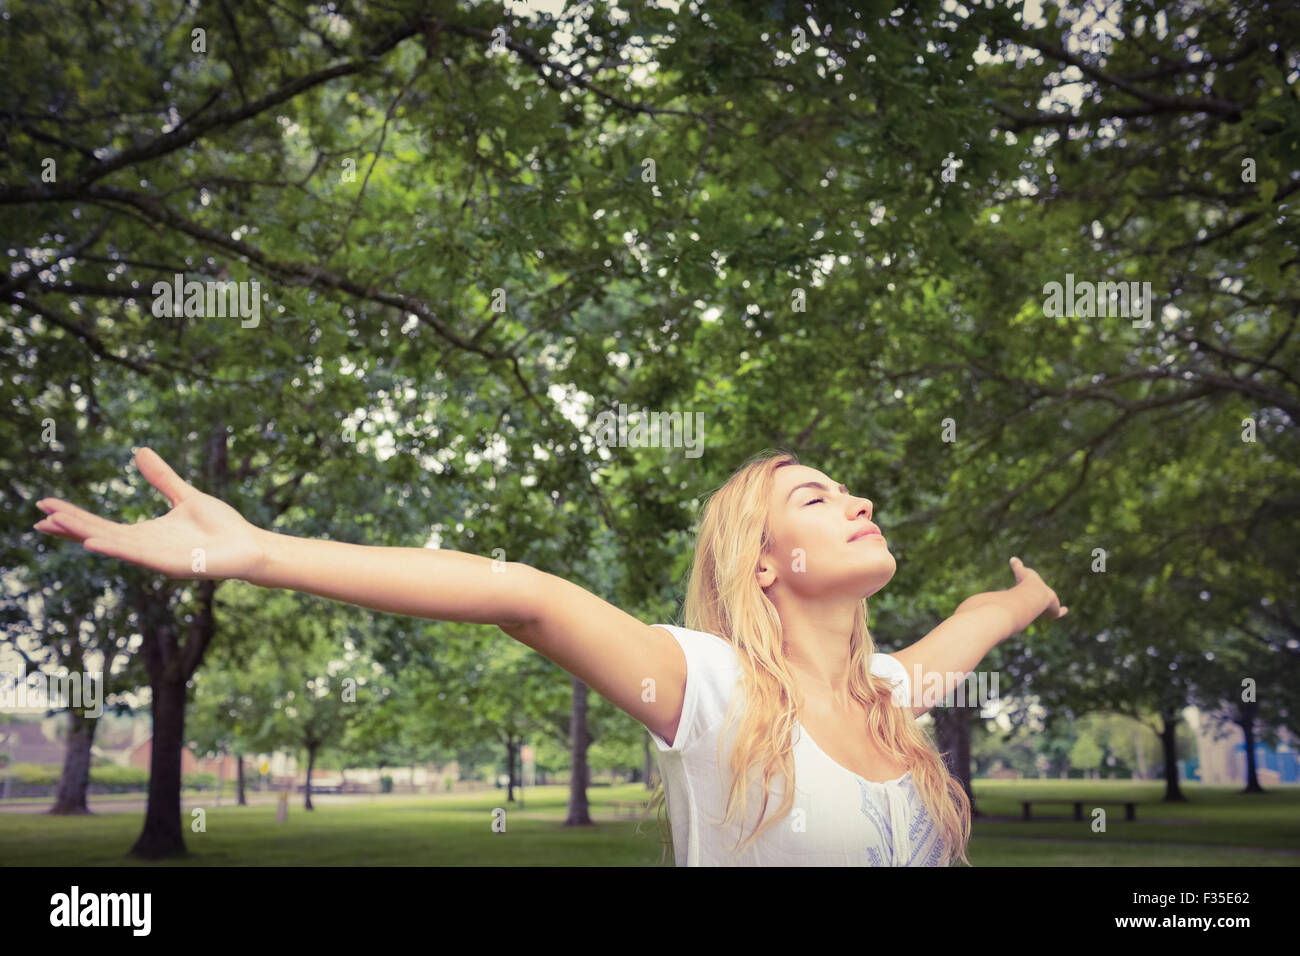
[{"x": 413, "y": 274}]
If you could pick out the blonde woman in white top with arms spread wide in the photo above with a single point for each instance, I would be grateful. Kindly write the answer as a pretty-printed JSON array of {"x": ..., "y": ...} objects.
[{"x": 772, "y": 698}]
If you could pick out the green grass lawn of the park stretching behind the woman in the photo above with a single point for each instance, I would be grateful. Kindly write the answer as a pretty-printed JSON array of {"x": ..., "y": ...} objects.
[{"x": 1216, "y": 828}]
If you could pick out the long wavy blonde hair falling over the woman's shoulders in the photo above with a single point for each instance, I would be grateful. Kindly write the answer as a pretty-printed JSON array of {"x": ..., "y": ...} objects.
[{"x": 725, "y": 599}]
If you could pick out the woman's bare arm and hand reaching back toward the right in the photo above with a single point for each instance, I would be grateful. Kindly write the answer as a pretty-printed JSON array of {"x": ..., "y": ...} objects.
[{"x": 981, "y": 622}]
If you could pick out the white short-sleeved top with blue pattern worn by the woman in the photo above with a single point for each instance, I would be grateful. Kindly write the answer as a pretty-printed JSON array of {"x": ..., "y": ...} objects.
[{"x": 839, "y": 819}]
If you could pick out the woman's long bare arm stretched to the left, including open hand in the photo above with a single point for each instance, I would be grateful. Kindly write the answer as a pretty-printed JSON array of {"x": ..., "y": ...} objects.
[{"x": 203, "y": 538}]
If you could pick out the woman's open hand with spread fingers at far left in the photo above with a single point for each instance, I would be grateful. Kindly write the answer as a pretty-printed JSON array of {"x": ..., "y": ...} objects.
[{"x": 201, "y": 538}]
